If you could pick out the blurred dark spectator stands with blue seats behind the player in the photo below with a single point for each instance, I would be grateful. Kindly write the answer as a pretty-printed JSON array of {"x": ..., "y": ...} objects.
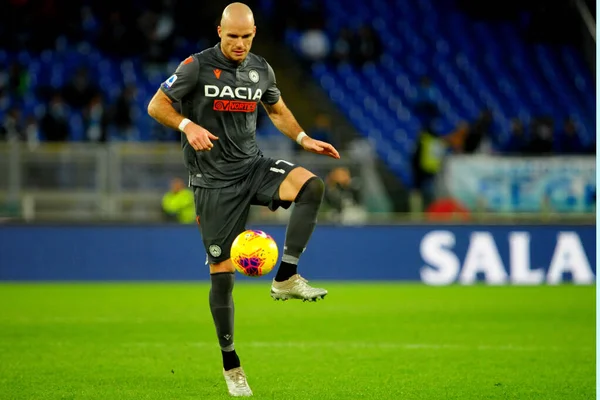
[{"x": 415, "y": 80}]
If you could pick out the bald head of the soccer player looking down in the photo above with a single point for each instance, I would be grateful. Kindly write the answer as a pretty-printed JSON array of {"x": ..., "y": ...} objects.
[{"x": 236, "y": 31}]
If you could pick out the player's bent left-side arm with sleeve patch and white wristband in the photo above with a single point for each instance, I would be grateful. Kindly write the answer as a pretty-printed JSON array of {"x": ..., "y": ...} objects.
[{"x": 182, "y": 82}]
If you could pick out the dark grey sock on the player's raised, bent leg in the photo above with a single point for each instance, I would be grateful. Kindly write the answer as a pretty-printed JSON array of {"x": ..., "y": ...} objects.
[{"x": 301, "y": 226}]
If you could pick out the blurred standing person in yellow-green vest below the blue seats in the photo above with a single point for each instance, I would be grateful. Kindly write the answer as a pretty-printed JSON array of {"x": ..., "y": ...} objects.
[{"x": 427, "y": 163}]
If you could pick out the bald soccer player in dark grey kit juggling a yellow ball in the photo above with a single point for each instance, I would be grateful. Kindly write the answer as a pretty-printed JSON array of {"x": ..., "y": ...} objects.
[{"x": 219, "y": 90}]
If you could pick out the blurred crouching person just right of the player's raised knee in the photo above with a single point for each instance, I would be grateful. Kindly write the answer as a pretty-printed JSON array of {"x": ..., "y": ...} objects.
[{"x": 342, "y": 197}]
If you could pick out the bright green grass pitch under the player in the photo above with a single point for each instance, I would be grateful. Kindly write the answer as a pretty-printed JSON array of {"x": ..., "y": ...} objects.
[{"x": 364, "y": 341}]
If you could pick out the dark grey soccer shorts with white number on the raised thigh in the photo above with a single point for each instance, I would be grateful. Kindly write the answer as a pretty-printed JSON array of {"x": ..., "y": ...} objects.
[{"x": 222, "y": 213}]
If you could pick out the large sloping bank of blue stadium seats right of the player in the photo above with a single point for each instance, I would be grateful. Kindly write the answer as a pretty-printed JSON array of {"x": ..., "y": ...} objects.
[{"x": 474, "y": 64}]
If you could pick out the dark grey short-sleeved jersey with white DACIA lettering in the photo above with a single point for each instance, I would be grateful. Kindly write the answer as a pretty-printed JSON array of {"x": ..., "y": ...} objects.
[{"x": 222, "y": 96}]
